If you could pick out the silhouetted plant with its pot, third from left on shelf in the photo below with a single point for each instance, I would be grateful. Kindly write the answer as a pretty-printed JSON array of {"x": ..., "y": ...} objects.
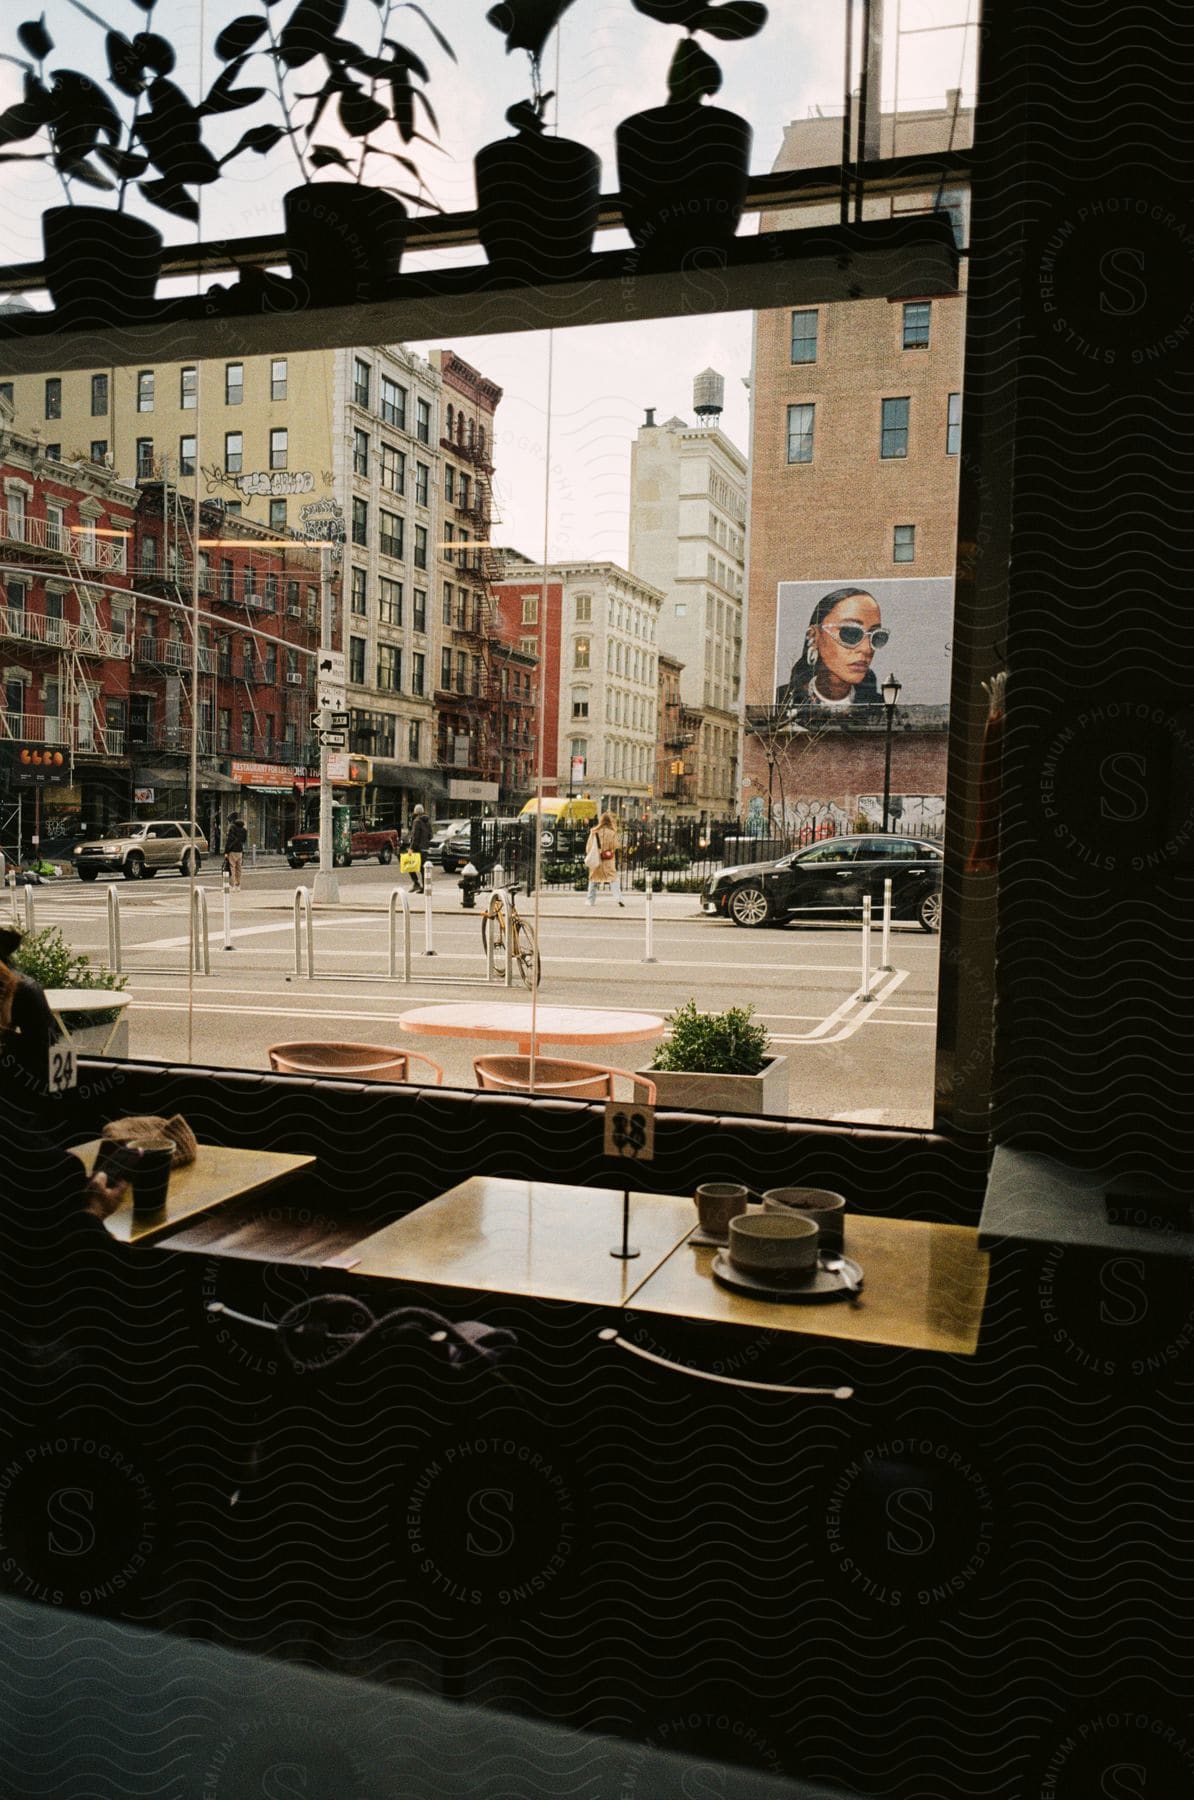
[{"x": 538, "y": 195}]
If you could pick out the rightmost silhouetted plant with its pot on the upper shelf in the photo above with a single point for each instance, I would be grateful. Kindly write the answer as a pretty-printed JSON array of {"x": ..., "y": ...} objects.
[{"x": 683, "y": 168}]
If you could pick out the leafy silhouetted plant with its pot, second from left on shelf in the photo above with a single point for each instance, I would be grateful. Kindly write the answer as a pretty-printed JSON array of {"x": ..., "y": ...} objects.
[{"x": 345, "y": 237}]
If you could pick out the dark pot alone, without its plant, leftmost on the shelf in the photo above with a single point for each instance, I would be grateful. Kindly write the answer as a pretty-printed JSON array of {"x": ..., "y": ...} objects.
[{"x": 100, "y": 265}]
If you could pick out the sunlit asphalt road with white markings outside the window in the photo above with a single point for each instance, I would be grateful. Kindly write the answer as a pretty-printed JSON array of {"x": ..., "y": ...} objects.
[{"x": 849, "y": 1057}]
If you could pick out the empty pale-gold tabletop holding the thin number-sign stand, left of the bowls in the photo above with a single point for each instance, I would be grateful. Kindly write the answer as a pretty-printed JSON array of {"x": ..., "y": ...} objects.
[{"x": 527, "y": 1237}]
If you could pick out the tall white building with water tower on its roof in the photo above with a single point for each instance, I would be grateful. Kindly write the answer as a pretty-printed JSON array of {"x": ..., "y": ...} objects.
[{"x": 689, "y": 489}]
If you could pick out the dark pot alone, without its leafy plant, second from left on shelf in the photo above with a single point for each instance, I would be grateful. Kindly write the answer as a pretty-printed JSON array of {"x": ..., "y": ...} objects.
[{"x": 345, "y": 242}]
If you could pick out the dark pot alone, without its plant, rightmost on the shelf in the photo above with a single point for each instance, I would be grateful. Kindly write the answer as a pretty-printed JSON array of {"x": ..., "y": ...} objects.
[{"x": 683, "y": 174}]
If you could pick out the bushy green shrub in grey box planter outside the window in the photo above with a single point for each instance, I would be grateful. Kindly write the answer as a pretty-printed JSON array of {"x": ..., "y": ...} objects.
[{"x": 719, "y": 1063}]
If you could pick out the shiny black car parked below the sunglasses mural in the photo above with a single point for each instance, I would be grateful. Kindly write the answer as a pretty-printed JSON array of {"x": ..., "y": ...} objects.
[{"x": 831, "y": 881}]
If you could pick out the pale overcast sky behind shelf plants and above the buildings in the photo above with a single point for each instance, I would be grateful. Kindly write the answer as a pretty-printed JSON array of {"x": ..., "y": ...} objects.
[{"x": 611, "y": 62}]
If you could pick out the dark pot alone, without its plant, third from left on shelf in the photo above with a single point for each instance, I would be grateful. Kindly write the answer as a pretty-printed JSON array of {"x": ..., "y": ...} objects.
[{"x": 538, "y": 206}]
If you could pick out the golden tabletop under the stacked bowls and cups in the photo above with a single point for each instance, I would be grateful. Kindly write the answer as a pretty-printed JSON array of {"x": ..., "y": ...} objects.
[{"x": 925, "y": 1290}]
